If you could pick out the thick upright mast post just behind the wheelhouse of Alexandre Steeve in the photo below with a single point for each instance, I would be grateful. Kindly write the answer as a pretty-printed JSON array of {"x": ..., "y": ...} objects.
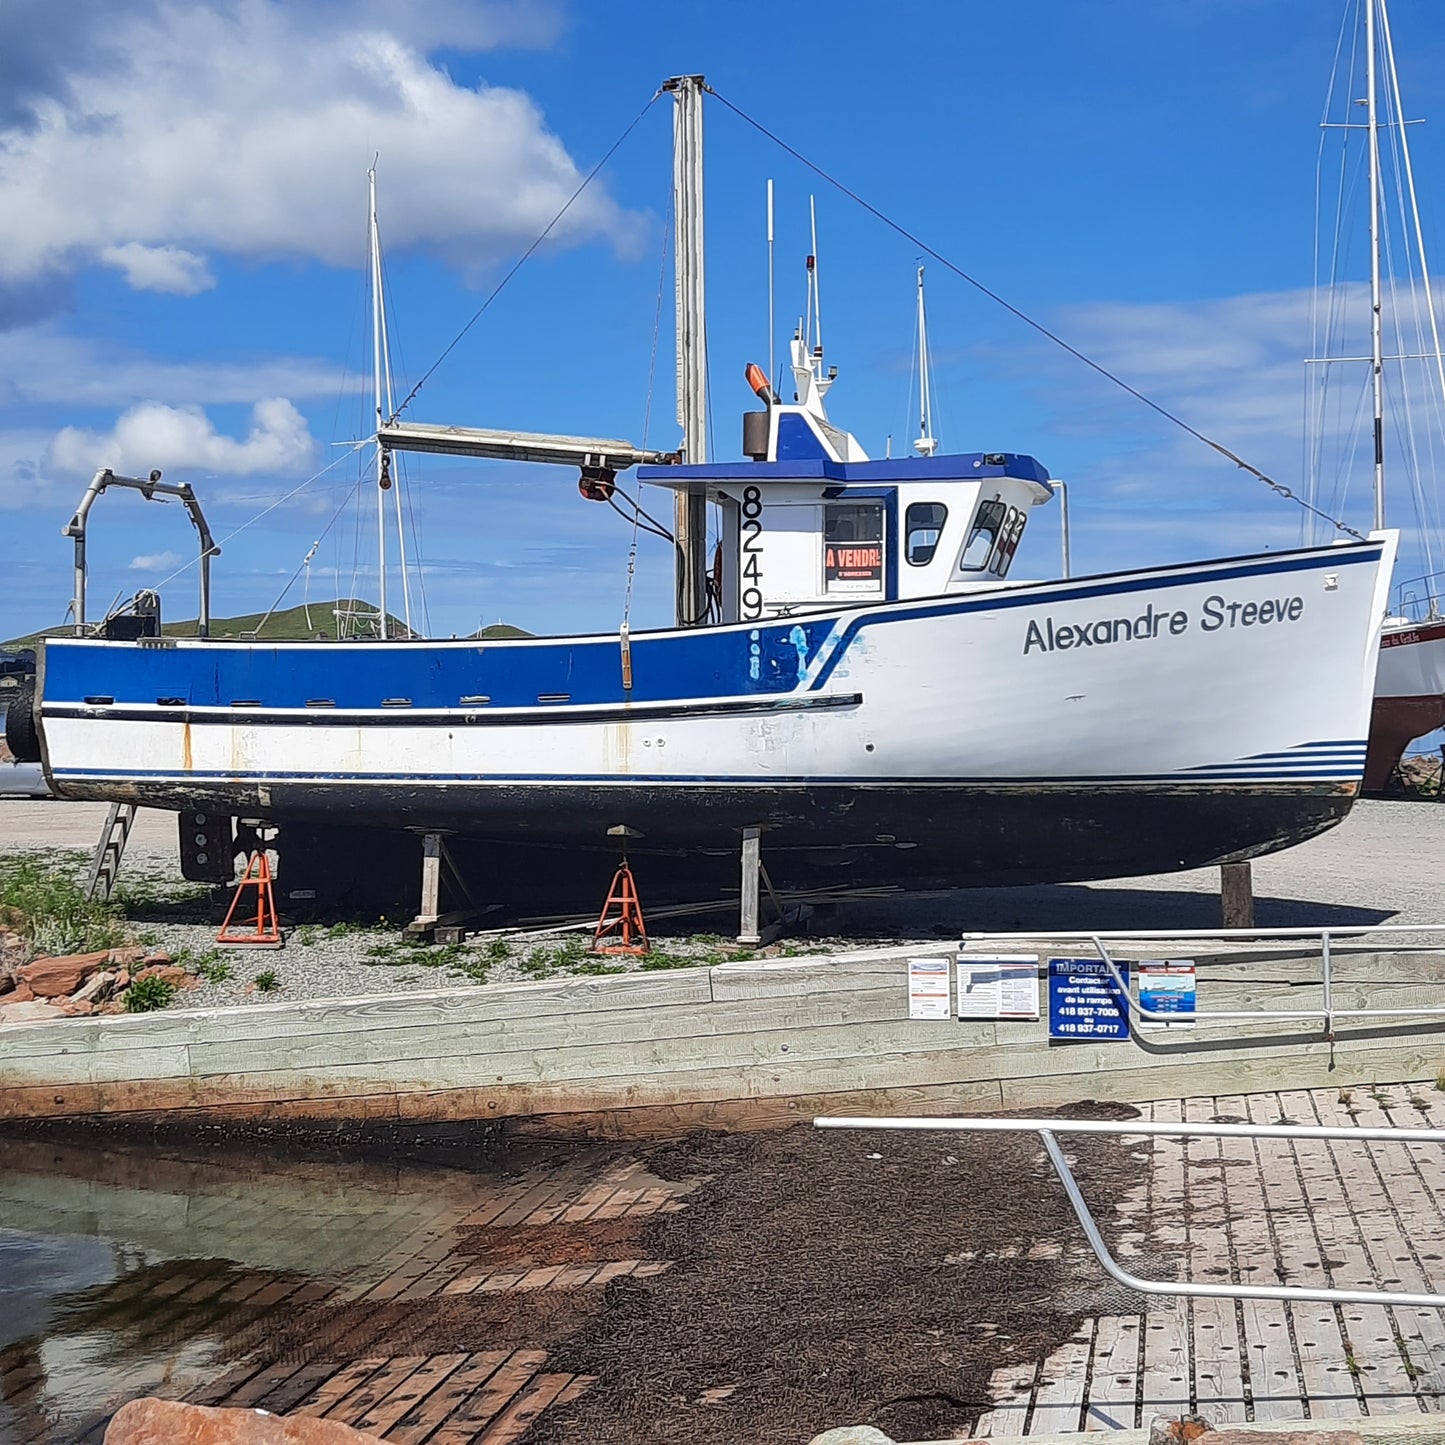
[{"x": 690, "y": 508}]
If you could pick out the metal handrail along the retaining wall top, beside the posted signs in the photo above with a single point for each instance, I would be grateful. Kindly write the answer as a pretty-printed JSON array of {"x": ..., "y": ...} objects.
[{"x": 1327, "y": 1012}]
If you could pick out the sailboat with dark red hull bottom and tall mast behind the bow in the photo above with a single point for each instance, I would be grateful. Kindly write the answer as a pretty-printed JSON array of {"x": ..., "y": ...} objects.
[{"x": 1410, "y": 694}]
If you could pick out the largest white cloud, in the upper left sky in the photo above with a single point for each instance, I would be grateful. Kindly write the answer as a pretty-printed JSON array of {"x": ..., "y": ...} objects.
[{"x": 183, "y": 131}]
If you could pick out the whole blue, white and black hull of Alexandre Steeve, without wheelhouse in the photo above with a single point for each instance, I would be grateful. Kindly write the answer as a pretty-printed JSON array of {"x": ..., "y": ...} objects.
[{"x": 1129, "y": 723}]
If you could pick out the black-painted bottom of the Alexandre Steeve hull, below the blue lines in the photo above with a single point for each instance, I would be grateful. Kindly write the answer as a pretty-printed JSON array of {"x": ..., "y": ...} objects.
[{"x": 532, "y": 846}]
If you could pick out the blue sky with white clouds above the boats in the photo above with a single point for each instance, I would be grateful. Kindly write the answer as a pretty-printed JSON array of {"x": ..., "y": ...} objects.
[{"x": 183, "y": 212}]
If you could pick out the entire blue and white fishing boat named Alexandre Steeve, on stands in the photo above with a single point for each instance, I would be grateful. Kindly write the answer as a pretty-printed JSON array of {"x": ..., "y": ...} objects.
[{"x": 859, "y": 676}]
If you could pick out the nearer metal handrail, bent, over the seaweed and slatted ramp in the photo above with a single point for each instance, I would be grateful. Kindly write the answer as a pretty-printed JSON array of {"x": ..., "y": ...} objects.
[{"x": 1048, "y": 1128}]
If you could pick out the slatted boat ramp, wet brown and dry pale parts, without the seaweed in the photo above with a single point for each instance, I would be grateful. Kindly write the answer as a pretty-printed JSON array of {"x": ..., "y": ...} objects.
[{"x": 385, "y": 1350}]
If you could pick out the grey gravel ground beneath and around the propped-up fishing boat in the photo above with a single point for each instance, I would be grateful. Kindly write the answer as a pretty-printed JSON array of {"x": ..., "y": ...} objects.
[{"x": 1379, "y": 866}]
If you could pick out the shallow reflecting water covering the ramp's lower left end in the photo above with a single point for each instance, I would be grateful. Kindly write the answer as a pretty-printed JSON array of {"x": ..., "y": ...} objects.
[{"x": 161, "y": 1271}]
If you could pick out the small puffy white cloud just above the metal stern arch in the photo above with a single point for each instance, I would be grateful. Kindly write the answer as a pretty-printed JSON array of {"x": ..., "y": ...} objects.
[{"x": 184, "y": 437}]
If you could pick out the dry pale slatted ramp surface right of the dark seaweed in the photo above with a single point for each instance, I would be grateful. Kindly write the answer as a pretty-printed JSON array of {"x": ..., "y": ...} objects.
[{"x": 1264, "y": 1212}]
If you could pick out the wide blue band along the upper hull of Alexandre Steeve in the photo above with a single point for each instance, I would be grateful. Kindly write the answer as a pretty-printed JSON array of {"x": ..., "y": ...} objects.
[{"x": 794, "y": 657}]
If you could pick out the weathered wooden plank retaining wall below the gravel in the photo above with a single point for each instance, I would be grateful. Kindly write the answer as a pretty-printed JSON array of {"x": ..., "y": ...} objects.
[{"x": 739, "y": 1045}]
